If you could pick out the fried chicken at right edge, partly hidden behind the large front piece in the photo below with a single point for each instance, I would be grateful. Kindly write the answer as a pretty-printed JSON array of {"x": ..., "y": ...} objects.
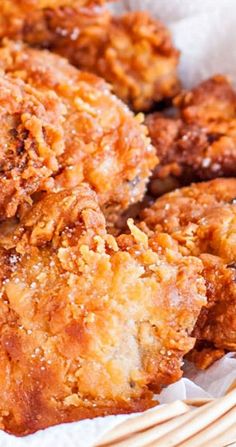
[{"x": 202, "y": 219}]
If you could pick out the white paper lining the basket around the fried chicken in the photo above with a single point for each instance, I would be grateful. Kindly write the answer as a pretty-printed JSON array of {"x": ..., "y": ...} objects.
[{"x": 204, "y": 31}]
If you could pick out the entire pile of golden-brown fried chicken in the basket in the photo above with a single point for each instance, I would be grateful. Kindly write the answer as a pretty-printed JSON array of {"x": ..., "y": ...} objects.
[{"x": 109, "y": 274}]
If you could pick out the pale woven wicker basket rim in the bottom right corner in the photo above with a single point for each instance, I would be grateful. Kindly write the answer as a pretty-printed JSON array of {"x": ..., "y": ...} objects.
[{"x": 196, "y": 423}]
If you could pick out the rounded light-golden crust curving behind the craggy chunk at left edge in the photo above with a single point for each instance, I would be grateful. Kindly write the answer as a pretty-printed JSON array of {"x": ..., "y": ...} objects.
[{"x": 104, "y": 143}]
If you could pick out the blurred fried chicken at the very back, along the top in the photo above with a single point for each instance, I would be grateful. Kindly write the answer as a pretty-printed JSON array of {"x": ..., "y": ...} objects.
[{"x": 133, "y": 52}]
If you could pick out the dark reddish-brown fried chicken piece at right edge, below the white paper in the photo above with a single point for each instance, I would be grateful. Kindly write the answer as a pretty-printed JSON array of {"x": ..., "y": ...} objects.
[{"x": 200, "y": 144}]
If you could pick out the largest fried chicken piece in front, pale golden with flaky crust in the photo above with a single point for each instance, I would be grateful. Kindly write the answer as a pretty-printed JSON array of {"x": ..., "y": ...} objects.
[{"x": 90, "y": 325}]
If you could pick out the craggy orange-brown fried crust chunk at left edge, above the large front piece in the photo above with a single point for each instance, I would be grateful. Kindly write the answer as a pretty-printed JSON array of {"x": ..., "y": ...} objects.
[{"x": 31, "y": 142}]
